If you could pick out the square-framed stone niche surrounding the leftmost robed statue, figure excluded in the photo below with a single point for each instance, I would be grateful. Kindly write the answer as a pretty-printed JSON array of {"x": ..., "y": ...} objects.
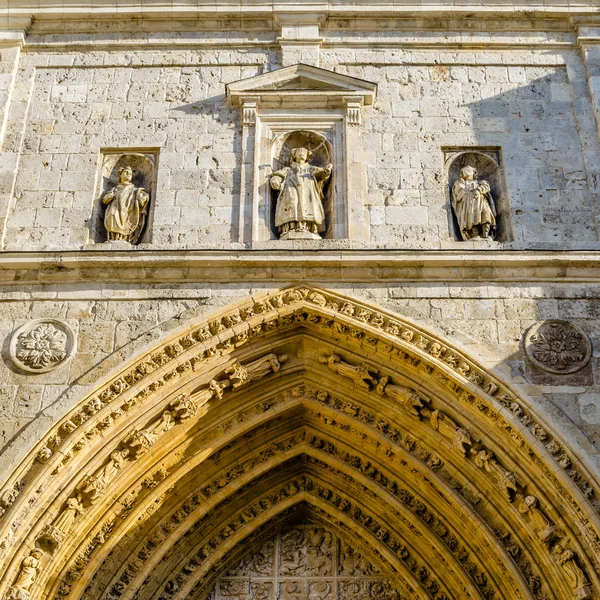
[{"x": 144, "y": 165}]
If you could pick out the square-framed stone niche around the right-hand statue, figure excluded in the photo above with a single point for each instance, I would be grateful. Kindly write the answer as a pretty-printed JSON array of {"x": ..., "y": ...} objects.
[{"x": 487, "y": 162}]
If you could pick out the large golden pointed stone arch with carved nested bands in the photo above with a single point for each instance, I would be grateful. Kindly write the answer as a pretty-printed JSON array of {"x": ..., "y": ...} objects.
[{"x": 301, "y": 406}]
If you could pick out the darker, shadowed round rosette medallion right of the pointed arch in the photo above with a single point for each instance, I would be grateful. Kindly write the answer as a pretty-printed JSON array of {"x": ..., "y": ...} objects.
[{"x": 558, "y": 346}]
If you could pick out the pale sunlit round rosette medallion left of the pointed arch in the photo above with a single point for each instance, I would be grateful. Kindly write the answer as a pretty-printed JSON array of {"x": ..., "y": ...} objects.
[{"x": 42, "y": 345}]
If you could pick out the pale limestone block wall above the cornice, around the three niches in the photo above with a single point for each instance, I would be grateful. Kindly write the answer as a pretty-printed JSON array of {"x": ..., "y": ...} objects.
[{"x": 532, "y": 101}]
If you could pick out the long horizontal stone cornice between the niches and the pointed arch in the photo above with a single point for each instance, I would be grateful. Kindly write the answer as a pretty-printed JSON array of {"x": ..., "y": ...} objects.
[{"x": 369, "y": 266}]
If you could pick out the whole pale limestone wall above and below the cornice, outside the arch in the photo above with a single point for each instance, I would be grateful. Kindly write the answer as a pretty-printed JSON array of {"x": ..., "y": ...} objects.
[{"x": 527, "y": 89}]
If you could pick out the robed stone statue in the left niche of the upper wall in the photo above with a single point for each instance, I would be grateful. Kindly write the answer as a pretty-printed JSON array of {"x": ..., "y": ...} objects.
[{"x": 127, "y": 208}]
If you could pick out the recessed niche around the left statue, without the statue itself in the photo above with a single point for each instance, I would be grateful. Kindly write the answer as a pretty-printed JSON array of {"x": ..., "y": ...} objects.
[{"x": 145, "y": 168}]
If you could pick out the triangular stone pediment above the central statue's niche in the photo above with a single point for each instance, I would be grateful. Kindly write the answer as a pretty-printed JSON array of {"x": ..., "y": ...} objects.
[{"x": 300, "y": 82}]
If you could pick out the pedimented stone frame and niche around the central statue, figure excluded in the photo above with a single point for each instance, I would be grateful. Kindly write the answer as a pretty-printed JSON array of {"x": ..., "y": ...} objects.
[{"x": 302, "y": 106}]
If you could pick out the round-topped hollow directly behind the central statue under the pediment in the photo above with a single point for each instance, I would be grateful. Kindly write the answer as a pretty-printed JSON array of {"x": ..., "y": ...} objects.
[{"x": 322, "y": 155}]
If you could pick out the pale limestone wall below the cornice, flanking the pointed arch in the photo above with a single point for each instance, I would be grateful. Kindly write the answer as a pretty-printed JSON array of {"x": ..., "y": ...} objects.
[{"x": 115, "y": 322}]
